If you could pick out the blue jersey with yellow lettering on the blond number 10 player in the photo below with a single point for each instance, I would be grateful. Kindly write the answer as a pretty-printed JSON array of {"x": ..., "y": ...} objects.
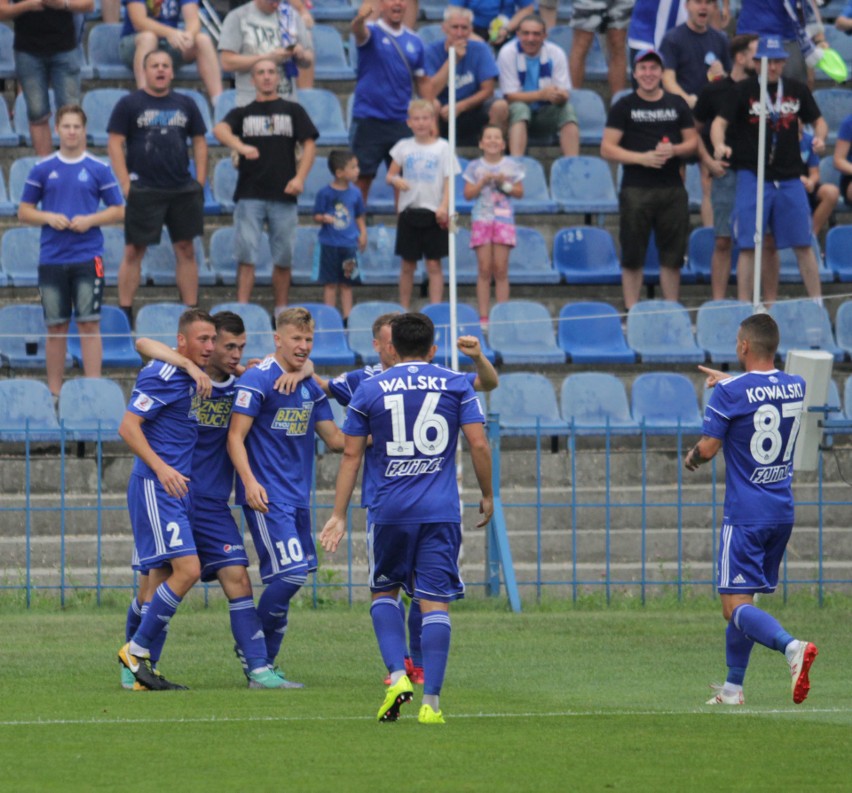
[{"x": 280, "y": 444}]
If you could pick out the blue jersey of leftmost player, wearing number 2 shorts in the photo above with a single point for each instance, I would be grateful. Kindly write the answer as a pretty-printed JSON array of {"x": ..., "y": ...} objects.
[{"x": 165, "y": 397}]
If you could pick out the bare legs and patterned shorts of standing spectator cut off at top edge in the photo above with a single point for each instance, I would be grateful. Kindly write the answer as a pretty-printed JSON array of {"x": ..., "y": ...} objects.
[{"x": 601, "y": 16}]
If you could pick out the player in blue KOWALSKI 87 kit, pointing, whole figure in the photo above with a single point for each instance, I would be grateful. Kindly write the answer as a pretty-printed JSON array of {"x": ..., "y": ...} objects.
[{"x": 756, "y": 416}]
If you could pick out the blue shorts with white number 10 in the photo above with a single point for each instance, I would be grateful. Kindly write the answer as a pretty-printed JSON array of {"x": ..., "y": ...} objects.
[{"x": 283, "y": 540}]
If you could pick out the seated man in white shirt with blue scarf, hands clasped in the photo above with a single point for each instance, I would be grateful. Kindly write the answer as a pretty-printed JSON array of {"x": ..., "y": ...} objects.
[{"x": 534, "y": 79}]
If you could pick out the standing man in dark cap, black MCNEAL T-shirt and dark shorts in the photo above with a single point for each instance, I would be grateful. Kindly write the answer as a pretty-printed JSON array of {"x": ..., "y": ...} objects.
[{"x": 649, "y": 132}]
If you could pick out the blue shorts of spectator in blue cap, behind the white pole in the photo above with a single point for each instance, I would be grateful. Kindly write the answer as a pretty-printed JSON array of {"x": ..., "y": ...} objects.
[{"x": 786, "y": 213}]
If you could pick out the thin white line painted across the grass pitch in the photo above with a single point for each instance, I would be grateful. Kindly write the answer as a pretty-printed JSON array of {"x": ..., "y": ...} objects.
[{"x": 570, "y": 714}]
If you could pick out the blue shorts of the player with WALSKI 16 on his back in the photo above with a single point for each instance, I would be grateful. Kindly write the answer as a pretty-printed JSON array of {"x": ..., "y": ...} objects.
[{"x": 422, "y": 558}]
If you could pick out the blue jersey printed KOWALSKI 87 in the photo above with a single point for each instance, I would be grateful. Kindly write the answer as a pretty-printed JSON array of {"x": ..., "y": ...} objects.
[{"x": 757, "y": 415}]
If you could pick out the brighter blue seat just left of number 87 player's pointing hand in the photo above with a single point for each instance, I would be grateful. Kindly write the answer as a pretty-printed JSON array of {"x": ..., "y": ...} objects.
[{"x": 664, "y": 402}]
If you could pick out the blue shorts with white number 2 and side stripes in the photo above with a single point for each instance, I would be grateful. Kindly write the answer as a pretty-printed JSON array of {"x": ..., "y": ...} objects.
[{"x": 161, "y": 527}]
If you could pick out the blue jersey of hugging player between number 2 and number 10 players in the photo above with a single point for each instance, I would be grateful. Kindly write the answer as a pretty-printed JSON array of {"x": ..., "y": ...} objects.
[{"x": 212, "y": 468}]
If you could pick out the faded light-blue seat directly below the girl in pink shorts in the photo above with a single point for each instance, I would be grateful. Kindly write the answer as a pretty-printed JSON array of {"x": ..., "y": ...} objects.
[{"x": 521, "y": 331}]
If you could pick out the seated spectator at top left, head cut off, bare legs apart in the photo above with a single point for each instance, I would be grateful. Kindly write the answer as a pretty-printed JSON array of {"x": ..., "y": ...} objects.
[{"x": 148, "y": 27}]
